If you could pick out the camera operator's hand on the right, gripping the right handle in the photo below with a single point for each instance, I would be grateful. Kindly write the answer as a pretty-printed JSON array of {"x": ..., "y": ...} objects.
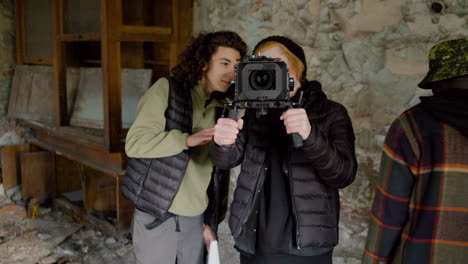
[{"x": 296, "y": 121}]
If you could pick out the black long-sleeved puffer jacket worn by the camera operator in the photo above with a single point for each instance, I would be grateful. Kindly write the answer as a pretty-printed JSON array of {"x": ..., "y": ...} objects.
[{"x": 325, "y": 163}]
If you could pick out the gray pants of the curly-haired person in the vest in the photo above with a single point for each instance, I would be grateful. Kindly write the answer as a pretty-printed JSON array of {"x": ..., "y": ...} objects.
[{"x": 163, "y": 245}]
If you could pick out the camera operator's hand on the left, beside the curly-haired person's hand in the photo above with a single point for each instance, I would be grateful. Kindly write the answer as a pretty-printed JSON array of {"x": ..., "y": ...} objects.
[{"x": 226, "y": 131}]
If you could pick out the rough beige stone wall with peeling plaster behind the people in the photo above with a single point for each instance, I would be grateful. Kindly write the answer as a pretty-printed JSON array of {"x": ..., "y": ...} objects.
[{"x": 369, "y": 56}]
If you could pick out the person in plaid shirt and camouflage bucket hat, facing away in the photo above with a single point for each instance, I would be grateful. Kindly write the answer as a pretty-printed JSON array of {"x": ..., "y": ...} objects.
[{"x": 420, "y": 209}]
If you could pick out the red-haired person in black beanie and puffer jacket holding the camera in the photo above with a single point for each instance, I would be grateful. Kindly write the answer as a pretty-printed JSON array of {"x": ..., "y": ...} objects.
[{"x": 286, "y": 203}]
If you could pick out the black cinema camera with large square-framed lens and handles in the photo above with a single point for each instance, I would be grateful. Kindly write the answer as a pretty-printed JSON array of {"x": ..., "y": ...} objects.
[{"x": 263, "y": 83}]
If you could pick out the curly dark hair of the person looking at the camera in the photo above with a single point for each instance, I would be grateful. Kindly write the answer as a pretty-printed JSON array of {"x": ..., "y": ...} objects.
[{"x": 198, "y": 54}]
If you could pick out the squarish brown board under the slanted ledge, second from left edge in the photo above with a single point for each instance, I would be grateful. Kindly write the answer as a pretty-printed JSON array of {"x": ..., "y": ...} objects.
[{"x": 38, "y": 175}]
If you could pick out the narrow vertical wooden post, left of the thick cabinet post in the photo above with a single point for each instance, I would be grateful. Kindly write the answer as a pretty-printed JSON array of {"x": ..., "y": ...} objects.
[{"x": 60, "y": 71}]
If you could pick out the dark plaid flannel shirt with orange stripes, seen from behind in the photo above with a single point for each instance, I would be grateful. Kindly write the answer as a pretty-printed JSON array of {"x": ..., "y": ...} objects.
[{"x": 420, "y": 210}]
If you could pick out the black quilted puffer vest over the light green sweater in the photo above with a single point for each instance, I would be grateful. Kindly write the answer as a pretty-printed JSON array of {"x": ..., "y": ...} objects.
[{"x": 152, "y": 183}]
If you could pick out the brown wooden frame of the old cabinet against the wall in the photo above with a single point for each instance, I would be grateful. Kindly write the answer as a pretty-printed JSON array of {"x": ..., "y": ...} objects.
[{"x": 113, "y": 32}]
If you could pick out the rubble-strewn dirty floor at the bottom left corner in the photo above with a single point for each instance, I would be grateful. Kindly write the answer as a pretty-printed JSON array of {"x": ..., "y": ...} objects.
[{"x": 54, "y": 238}]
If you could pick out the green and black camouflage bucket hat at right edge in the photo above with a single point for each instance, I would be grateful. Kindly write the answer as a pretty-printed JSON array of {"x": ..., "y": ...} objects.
[{"x": 447, "y": 60}]
